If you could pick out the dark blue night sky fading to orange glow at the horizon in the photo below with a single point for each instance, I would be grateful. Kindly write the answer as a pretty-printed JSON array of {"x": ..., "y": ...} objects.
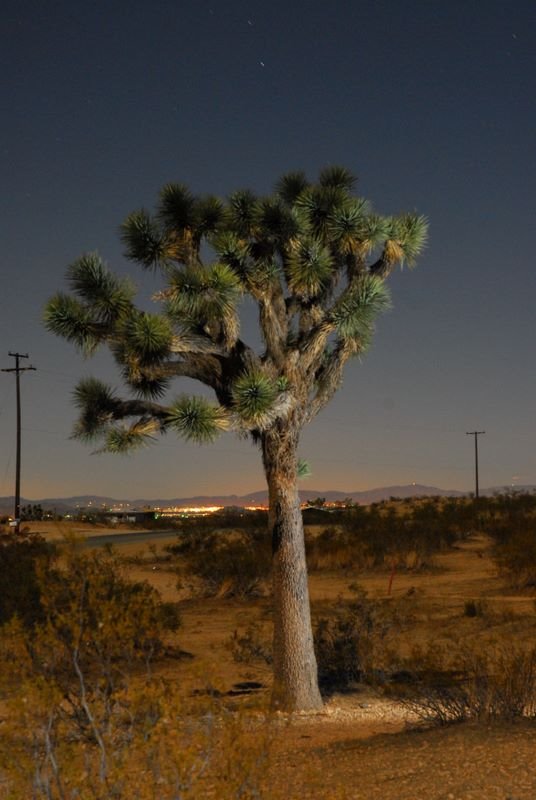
[{"x": 431, "y": 103}]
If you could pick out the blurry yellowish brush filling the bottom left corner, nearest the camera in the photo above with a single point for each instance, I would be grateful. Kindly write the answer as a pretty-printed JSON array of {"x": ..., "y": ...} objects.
[{"x": 157, "y": 744}]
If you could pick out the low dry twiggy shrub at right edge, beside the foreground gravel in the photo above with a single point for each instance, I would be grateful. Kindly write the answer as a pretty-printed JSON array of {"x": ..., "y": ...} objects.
[{"x": 497, "y": 681}]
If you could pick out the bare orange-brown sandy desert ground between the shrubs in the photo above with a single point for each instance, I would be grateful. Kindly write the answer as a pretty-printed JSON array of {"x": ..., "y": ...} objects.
[{"x": 366, "y": 743}]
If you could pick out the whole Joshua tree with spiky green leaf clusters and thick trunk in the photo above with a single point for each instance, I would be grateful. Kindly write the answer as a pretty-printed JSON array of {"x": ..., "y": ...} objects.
[{"x": 314, "y": 258}]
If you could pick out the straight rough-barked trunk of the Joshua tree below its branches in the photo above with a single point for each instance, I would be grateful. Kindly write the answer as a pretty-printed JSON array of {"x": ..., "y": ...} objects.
[{"x": 295, "y": 686}]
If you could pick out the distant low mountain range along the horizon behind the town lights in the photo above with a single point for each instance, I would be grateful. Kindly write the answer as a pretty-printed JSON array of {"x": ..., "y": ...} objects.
[{"x": 64, "y": 505}]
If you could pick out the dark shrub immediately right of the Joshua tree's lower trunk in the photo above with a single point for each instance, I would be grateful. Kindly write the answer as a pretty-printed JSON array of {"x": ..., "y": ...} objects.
[{"x": 346, "y": 641}]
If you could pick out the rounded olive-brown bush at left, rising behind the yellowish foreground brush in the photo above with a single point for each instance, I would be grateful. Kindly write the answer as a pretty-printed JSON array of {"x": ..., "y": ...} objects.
[{"x": 96, "y": 627}]
